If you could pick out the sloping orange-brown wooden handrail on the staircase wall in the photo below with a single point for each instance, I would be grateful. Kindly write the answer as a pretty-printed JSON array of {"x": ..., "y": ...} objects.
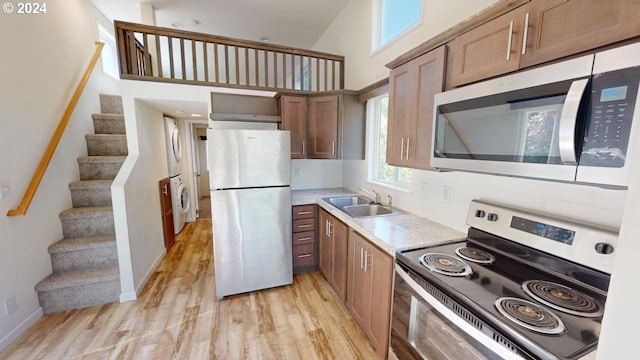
[{"x": 53, "y": 144}]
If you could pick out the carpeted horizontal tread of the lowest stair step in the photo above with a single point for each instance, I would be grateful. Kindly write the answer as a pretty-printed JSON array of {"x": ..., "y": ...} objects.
[{"x": 77, "y": 278}]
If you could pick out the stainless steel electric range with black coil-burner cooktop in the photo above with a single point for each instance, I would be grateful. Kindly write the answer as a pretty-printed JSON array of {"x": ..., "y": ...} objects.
[{"x": 493, "y": 295}]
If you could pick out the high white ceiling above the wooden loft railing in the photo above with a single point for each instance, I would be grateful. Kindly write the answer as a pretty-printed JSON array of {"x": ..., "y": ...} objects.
[{"x": 295, "y": 23}]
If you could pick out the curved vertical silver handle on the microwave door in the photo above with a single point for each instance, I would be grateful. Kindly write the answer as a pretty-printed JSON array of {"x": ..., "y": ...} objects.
[{"x": 568, "y": 118}]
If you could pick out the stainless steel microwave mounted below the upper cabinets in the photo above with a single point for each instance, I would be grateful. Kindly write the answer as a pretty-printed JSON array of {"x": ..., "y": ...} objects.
[{"x": 571, "y": 121}]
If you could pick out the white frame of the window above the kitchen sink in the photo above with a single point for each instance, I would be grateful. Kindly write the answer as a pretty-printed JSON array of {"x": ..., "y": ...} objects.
[{"x": 373, "y": 149}]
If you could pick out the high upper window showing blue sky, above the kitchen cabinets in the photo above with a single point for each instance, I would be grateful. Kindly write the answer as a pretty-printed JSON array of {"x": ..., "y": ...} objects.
[{"x": 391, "y": 18}]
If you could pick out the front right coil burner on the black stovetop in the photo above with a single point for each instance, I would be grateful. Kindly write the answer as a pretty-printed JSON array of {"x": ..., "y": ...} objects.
[{"x": 530, "y": 315}]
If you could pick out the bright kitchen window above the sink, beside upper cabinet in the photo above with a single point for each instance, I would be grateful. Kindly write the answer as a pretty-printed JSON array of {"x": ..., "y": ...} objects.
[{"x": 379, "y": 170}]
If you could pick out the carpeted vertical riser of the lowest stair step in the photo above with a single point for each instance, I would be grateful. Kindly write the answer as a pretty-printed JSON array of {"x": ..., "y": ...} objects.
[{"x": 79, "y": 296}]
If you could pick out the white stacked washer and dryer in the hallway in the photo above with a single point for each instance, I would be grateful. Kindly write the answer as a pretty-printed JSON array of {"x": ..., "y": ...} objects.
[{"x": 180, "y": 198}]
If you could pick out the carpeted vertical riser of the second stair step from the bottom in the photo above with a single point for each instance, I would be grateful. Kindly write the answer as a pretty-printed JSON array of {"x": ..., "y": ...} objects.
[{"x": 85, "y": 259}]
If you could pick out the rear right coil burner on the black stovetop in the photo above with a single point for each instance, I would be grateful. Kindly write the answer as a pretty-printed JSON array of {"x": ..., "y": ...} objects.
[{"x": 562, "y": 298}]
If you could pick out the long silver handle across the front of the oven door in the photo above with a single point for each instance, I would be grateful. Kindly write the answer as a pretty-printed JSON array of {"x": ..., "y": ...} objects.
[{"x": 456, "y": 319}]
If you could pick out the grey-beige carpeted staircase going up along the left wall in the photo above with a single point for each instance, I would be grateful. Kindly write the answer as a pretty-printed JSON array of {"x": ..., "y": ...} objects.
[{"x": 85, "y": 261}]
